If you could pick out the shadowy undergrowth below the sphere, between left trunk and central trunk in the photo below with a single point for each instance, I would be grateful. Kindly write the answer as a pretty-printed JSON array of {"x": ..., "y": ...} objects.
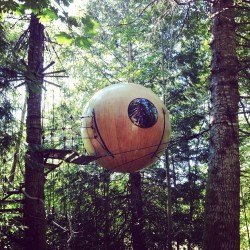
[{"x": 99, "y": 206}]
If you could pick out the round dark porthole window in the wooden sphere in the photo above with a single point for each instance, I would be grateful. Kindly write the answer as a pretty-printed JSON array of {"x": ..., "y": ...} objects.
[{"x": 142, "y": 113}]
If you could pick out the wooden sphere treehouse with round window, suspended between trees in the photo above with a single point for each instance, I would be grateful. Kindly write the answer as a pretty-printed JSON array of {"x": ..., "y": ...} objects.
[{"x": 127, "y": 126}]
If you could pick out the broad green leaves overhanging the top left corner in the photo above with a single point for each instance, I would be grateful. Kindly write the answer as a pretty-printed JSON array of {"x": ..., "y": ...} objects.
[{"x": 48, "y": 11}]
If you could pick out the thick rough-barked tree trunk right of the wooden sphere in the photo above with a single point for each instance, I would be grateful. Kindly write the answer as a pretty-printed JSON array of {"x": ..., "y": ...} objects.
[{"x": 222, "y": 206}]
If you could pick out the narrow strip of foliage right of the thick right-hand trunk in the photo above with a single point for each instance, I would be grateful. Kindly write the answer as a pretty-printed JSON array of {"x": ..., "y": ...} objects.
[{"x": 242, "y": 35}]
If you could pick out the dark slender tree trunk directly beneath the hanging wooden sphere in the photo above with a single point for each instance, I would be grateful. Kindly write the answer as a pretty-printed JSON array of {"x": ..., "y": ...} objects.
[{"x": 137, "y": 223}]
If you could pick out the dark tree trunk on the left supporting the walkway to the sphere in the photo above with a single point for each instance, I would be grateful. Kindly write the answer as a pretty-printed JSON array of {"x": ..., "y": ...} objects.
[{"x": 34, "y": 210}]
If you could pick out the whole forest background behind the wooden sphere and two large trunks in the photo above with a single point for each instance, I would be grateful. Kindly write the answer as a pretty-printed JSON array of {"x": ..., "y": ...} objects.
[{"x": 162, "y": 45}]
